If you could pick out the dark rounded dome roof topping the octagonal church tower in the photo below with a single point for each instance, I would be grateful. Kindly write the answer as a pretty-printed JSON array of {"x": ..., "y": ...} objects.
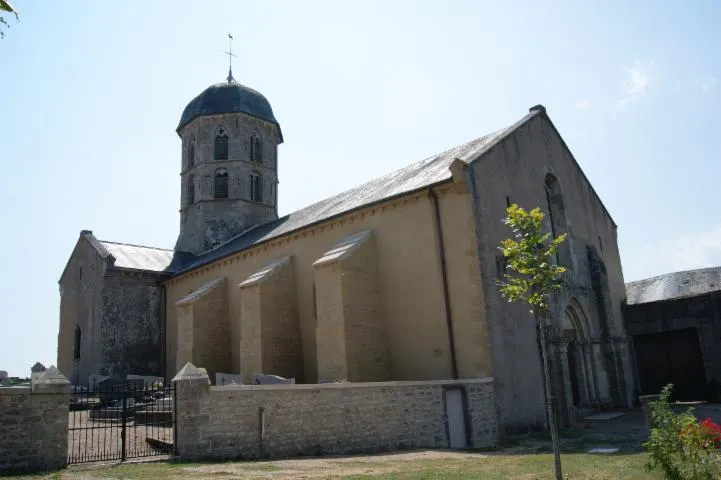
[{"x": 228, "y": 97}]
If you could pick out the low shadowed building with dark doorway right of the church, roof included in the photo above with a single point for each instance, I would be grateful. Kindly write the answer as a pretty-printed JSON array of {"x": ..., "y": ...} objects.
[{"x": 675, "y": 323}]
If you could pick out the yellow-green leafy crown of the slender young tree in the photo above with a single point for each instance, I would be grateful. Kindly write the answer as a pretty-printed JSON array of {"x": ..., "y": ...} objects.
[{"x": 530, "y": 274}]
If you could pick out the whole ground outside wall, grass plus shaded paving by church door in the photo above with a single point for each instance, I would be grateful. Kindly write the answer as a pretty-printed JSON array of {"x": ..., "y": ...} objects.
[{"x": 526, "y": 457}]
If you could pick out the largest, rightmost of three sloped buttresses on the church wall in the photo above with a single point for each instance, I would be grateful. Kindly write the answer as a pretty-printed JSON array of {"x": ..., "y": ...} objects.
[{"x": 351, "y": 330}]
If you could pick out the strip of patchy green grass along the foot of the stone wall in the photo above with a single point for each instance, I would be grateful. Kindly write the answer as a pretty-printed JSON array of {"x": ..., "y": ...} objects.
[{"x": 472, "y": 466}]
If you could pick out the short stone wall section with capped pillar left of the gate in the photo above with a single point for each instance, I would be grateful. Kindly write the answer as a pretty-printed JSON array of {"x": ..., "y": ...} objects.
[{"x": 34, "y": 425}]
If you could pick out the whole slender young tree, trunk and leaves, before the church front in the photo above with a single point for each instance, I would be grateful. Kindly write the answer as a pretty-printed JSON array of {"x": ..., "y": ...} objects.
[{"x": 530, "y": 277}]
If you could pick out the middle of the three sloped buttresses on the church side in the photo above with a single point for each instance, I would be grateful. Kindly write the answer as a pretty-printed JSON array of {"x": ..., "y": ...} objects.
[{"x": 270, "y": 333}]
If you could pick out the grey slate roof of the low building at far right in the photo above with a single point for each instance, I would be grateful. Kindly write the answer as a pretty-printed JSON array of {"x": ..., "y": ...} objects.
[{"x": 672, "y": 286}]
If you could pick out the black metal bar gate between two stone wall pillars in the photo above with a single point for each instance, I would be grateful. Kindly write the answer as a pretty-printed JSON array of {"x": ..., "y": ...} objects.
[{"x": 120, "y": 419}]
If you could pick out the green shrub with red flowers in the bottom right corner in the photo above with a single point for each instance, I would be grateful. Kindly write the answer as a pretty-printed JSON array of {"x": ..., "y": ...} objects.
[{"x": 681, "y": 446}]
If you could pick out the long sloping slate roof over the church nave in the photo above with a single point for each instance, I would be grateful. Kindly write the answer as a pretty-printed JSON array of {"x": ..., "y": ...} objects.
[{"x": 417, "y": 176}]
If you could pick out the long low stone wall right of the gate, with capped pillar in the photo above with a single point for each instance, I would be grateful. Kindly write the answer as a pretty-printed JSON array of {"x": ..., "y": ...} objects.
[{"x": 271, "y": 421}]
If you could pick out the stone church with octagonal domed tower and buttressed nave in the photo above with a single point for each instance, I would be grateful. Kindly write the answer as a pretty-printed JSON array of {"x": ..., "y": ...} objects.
[{"x": 392, "y": 280}]
